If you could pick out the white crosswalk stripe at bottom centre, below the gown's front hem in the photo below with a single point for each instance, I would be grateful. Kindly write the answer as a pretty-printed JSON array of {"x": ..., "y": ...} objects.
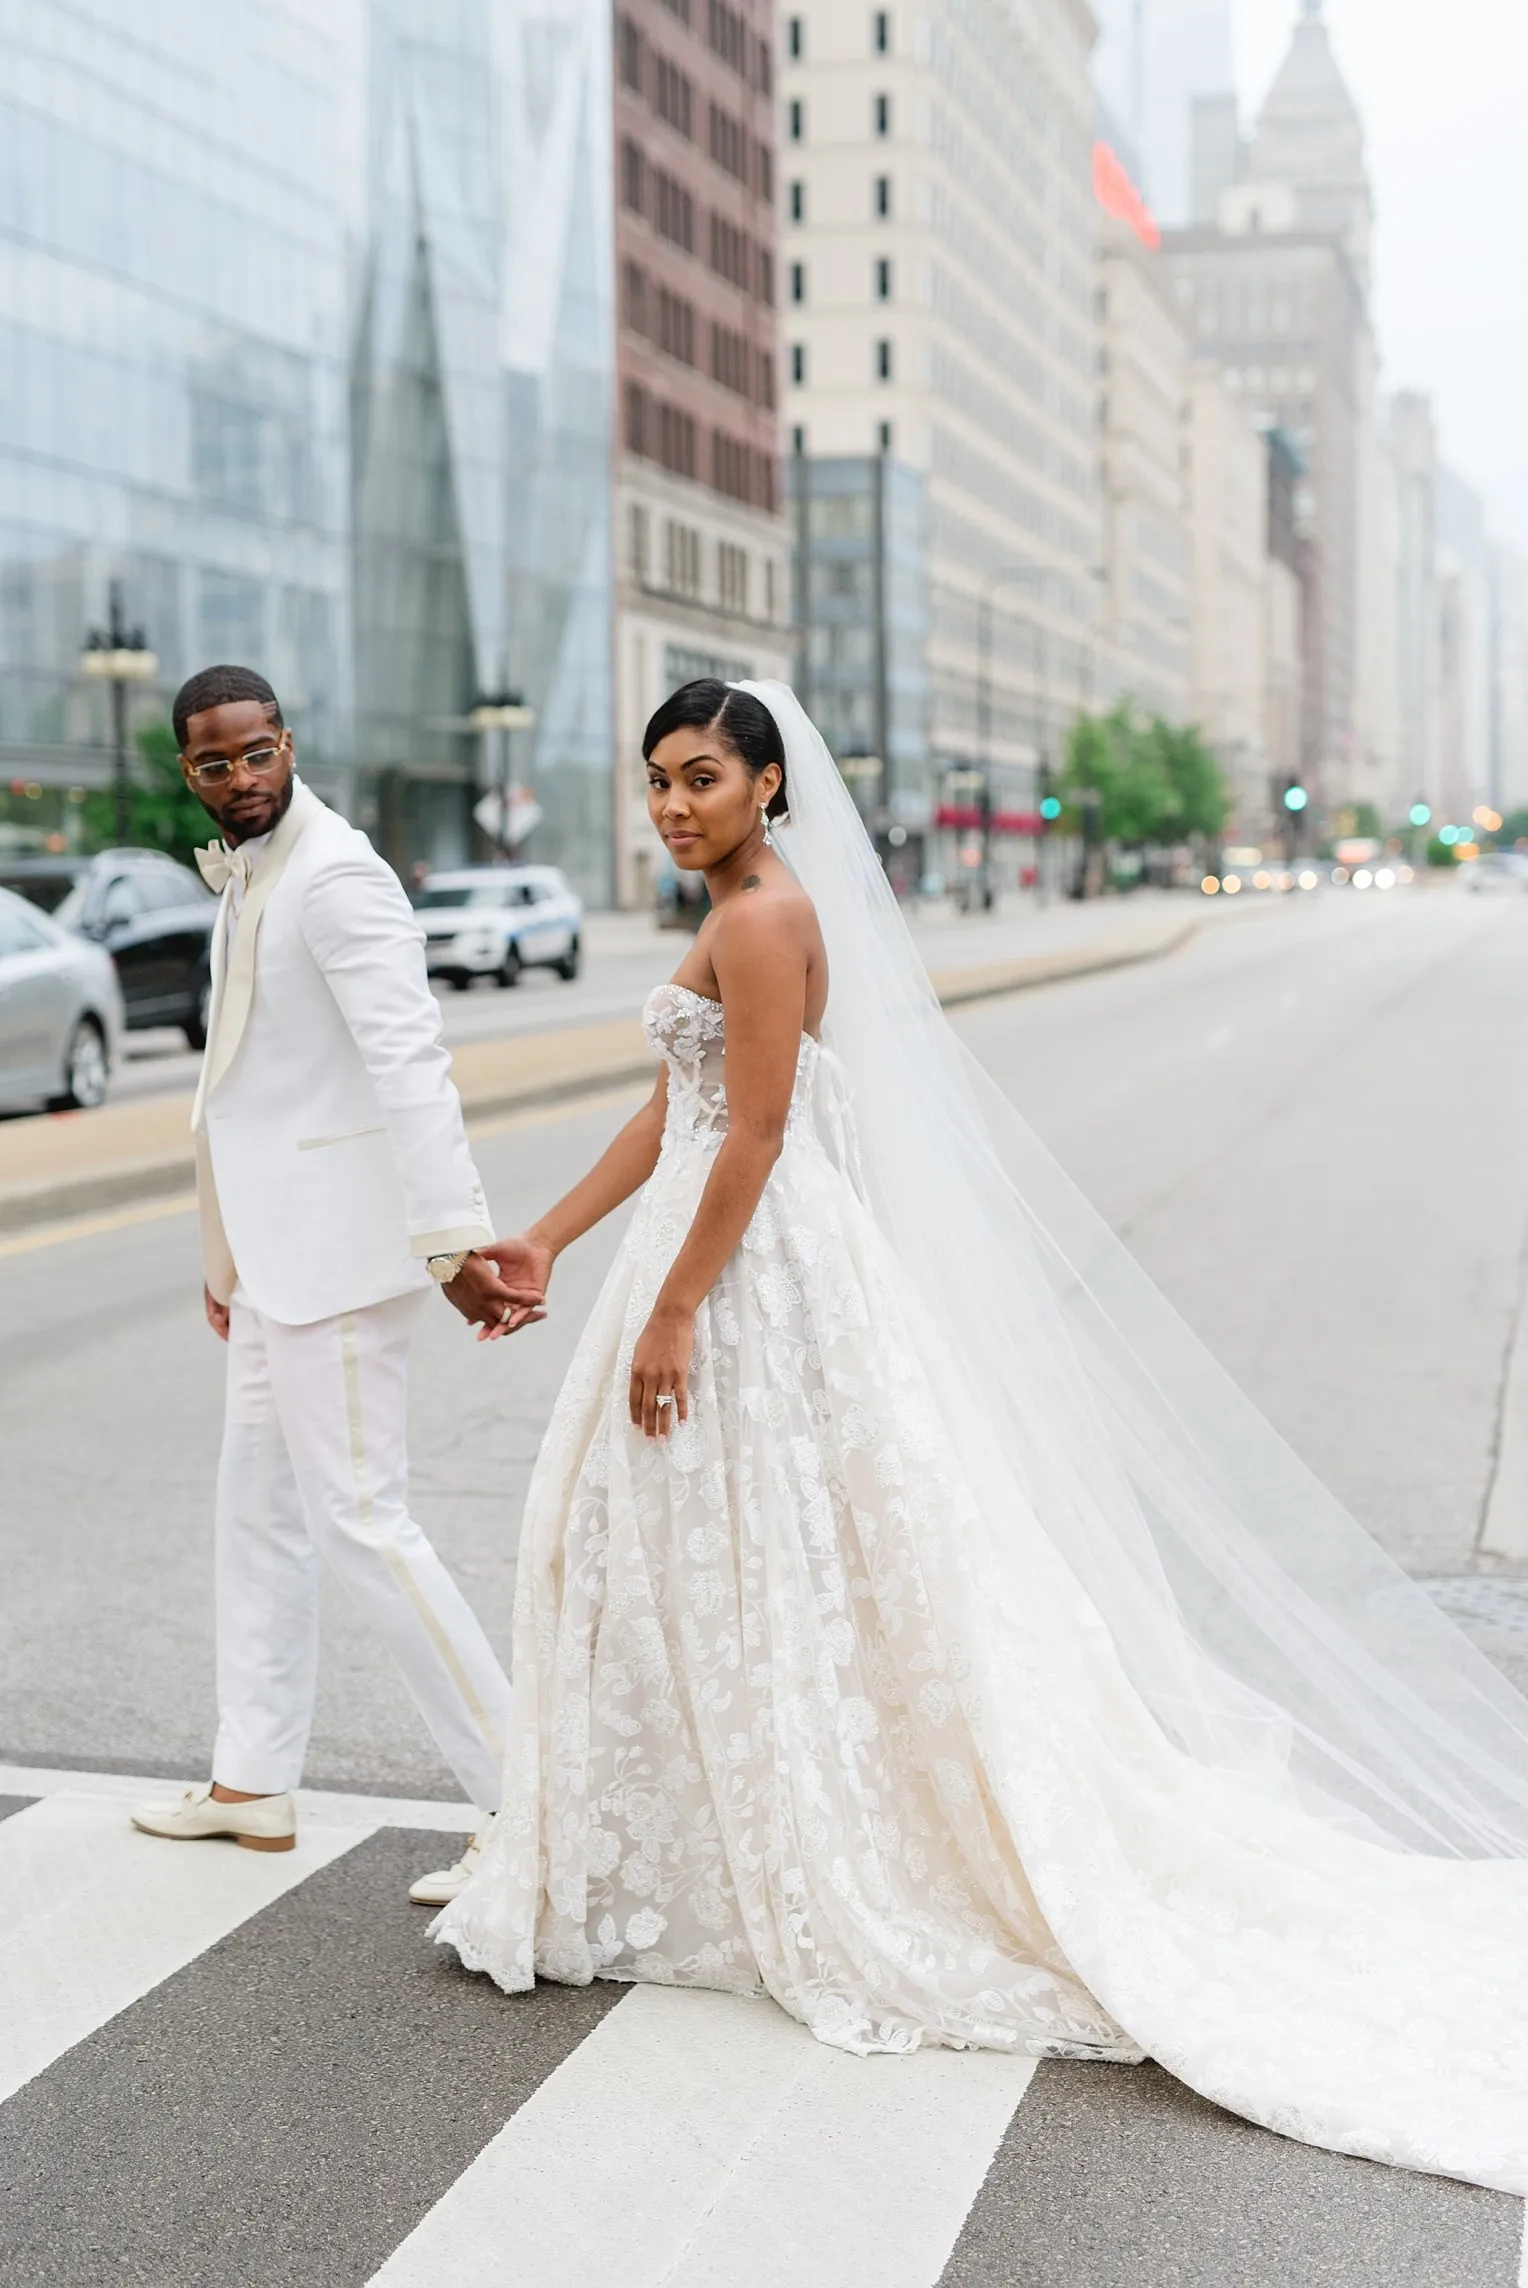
[{"x": 706, "y": 2140}]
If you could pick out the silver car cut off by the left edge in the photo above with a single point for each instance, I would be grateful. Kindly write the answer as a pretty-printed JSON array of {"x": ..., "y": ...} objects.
[{"x": 61, "y": 1015}]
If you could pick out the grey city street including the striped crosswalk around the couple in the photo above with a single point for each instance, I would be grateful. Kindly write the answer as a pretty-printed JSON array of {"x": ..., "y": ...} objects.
[{"x": 221, "y": 2067}]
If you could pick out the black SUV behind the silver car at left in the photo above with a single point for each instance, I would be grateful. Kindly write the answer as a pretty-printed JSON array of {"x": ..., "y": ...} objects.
[{"x": 152, "y": 916}]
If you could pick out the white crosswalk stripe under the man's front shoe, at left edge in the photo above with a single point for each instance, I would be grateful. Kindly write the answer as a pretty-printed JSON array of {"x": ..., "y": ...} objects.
[{"x": 97, "y": 1914}]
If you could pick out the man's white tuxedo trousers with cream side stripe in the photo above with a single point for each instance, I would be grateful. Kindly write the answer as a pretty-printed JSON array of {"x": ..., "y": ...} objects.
[{"x": 315, "y": 1463}]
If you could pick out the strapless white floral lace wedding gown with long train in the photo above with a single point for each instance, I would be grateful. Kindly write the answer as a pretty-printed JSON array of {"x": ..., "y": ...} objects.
[{"x": 783, "y": 1724}]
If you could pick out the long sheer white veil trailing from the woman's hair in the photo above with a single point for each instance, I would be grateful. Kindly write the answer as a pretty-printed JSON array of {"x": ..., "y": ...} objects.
[{"x": 1264, "y": 1628}]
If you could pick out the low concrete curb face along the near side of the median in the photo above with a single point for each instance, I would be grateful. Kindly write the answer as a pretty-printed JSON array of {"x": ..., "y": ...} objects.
[{"x": 56, "y": 1200}]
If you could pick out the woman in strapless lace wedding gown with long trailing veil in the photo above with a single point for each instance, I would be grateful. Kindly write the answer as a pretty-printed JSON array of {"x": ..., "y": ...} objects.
[{"x": 916, "y": 1626}]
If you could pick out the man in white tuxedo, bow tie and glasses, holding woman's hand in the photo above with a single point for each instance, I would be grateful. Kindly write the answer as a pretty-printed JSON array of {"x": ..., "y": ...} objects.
[{"x": 335, "y": 1186}]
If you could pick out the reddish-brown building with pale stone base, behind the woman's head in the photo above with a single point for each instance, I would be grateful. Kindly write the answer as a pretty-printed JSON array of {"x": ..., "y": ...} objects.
[{"x": 701, "y": 527}]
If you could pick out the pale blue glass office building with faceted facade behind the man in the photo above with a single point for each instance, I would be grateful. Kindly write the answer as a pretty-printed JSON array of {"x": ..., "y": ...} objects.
[{"x": 305, "y": 337}]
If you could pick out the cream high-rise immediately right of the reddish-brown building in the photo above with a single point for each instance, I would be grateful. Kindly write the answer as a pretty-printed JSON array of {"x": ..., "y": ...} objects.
[{"x": 939, "y": 310}]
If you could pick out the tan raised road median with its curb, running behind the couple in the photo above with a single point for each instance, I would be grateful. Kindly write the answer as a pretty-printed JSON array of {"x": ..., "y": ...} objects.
[{"x": 77, "y": 1163}]
